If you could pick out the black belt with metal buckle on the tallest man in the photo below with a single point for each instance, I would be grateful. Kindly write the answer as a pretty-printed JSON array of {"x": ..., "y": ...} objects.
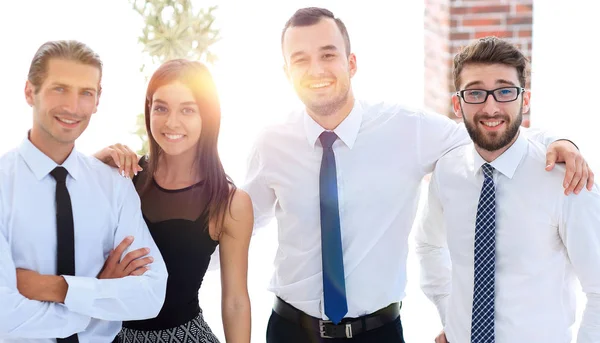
[{"x": 347, "y": 328}]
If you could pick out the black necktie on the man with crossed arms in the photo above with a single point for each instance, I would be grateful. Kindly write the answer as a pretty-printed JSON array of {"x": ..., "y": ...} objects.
[{"x": 65, "y": 235}]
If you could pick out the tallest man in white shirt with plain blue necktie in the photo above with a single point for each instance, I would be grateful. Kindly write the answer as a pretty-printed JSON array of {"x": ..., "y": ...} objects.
[{"x": 342, "y": 178}]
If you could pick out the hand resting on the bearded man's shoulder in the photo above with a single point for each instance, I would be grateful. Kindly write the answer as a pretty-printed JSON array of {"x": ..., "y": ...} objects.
[{"x": 578, "y": 172}]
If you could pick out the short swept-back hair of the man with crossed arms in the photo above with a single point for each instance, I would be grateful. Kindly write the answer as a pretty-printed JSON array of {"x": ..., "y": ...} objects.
[{"x": 62, "y": 49}]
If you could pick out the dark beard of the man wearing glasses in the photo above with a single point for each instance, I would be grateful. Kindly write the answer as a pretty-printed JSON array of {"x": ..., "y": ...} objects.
[{"x": 480, "y": 138}]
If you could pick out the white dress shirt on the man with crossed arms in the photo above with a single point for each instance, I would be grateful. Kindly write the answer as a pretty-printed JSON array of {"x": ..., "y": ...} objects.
[{"x": 106, "y": 209}]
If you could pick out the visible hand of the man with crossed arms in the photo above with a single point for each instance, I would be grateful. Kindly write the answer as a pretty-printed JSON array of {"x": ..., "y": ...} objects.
[{"x": 132, "y": 263}]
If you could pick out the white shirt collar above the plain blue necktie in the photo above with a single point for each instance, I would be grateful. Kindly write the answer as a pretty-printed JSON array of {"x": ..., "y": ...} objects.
[{"x": 347, "y": 131}]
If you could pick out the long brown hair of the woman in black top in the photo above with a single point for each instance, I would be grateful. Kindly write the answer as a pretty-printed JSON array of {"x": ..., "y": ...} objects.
[{"x": 197, "y": 78}]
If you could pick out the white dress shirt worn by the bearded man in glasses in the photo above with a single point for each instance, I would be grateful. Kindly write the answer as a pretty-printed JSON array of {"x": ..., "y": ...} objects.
[{"x": 544, "y": 239}]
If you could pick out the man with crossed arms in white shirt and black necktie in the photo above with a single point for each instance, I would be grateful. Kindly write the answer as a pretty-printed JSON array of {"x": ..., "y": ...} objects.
[{"x": 61, "y": 215}]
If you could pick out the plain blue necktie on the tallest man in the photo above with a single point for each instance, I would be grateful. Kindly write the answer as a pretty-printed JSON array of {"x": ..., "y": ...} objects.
[{"x": 334, "y": 284}]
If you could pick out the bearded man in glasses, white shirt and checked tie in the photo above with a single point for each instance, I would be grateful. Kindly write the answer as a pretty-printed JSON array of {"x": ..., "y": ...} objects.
[{"x": 500, "y": 246}]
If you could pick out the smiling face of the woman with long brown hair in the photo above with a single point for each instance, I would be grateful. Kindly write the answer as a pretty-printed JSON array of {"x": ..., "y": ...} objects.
[{"x": 175, "y": 121}]
